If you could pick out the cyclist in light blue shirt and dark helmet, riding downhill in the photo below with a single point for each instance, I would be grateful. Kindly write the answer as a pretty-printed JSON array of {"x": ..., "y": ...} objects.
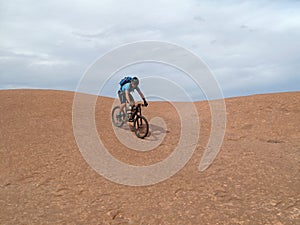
[{"x": 125, "y": 96}]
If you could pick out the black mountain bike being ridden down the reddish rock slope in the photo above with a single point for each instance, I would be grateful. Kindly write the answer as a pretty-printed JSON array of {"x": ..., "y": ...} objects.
[{"x": 140, "y": 123}]
